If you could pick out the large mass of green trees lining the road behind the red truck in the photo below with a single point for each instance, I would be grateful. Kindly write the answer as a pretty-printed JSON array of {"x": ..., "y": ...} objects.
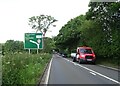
[{"x": 99, "y": 29}]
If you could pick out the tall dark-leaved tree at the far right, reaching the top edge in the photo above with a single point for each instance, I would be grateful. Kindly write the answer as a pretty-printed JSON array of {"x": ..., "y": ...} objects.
[{"x": 107, "y": 14}]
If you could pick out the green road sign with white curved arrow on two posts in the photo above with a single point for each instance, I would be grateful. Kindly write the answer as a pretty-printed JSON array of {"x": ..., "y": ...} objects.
[{"x": 33, "y": 41}]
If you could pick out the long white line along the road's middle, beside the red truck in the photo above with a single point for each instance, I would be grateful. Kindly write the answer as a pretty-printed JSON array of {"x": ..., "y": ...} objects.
[{"x": 96, "y": 72}]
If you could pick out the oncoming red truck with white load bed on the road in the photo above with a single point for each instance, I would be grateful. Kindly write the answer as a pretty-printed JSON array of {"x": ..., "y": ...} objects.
[{"x": 85, "y": 54}]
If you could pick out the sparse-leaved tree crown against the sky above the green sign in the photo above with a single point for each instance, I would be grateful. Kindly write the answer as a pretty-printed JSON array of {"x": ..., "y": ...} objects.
[{"x": 41, "y": 23}]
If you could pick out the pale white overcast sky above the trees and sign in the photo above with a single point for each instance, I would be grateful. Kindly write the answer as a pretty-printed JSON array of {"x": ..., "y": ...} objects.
[{"x": 14, "y": 15}]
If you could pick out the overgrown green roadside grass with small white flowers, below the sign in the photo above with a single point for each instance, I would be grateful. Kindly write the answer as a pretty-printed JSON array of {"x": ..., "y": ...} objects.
[{"x": 23, "y": 68}]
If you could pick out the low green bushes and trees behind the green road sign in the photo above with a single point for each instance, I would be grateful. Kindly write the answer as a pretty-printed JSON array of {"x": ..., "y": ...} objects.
[{"x": 12, "y": 46}]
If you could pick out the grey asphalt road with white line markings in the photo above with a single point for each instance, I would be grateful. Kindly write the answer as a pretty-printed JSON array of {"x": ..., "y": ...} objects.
[{"x": 64, "y": 71}]
